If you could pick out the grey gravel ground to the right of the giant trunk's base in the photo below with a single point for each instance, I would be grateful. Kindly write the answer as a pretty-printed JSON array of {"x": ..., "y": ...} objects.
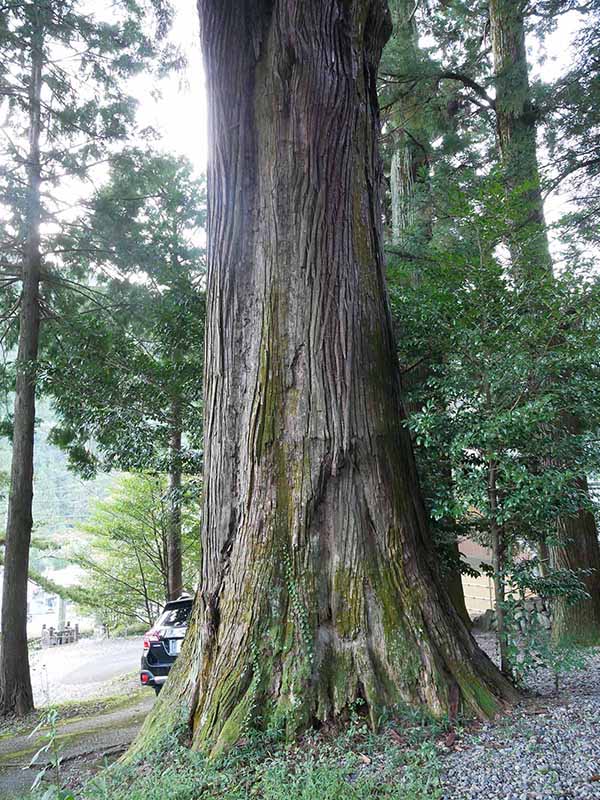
[{"x": 548, "y": 748}]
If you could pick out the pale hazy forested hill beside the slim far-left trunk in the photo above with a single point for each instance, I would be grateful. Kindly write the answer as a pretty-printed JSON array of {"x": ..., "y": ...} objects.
[{"x": 62, "y": 500}]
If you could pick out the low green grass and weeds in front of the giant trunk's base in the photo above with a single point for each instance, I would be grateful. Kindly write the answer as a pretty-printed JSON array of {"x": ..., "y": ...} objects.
[{"x": 400, "y": 763}]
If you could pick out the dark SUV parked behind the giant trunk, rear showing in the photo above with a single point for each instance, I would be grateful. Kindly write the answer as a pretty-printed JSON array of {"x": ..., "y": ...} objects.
[{"x": 162, "y": 643}]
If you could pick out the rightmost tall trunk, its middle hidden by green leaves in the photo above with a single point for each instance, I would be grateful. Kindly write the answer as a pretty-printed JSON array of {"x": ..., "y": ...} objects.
[{"x": 578, "y": 546}]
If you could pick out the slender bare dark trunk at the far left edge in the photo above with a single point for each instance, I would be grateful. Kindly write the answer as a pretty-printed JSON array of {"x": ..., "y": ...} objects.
[{"x": 15, "y": 682}]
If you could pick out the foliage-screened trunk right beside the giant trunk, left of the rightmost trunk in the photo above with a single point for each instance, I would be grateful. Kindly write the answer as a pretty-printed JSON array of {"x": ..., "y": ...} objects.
[{"x": 412, "y": 209}]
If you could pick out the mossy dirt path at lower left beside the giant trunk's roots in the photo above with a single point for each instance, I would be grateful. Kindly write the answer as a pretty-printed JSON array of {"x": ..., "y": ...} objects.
[{"x": 93, "y": 737}]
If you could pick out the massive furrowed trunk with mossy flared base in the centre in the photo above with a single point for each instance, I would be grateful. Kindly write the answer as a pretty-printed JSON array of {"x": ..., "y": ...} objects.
[{"x": 318, "y": 583}]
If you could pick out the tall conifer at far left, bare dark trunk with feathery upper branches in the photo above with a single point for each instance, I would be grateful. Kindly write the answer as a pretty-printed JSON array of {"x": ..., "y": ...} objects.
[{"x": 49, "y": 49}]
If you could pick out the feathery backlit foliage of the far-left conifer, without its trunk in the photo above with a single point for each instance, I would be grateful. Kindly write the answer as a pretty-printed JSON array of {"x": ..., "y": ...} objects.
[{"x": 85, "y": 108}]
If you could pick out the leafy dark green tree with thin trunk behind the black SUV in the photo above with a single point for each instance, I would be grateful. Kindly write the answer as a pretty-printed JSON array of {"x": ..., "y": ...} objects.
[{"x": 139, "y": 319}]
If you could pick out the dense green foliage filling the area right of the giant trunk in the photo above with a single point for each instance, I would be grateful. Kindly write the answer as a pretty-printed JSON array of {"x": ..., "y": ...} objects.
[{"x": 502, "y": 376}]
